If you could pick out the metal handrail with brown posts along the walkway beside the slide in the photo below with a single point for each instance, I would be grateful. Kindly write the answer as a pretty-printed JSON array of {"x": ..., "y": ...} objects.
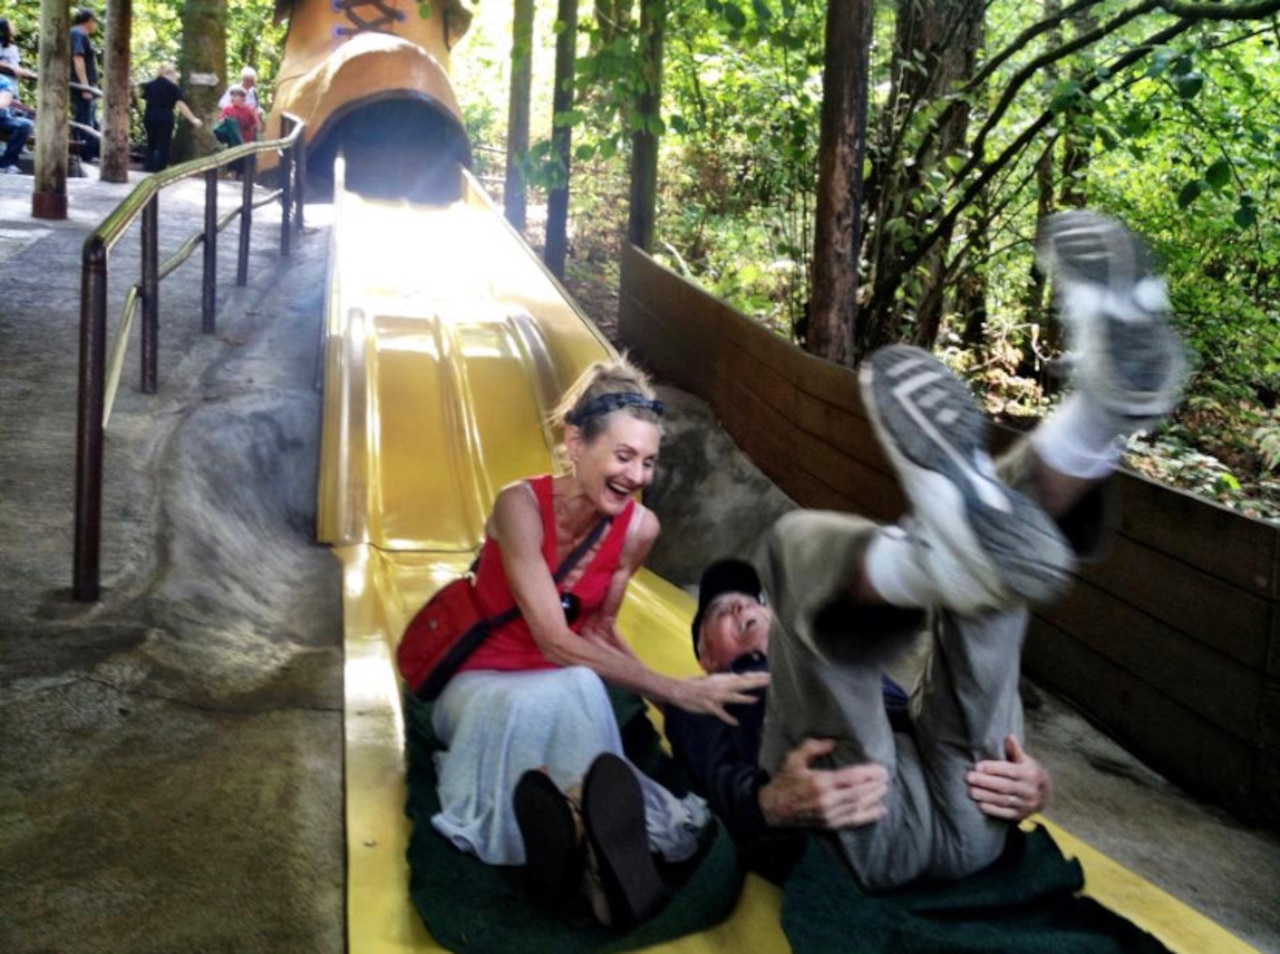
[{"x": 95, "y": 399}]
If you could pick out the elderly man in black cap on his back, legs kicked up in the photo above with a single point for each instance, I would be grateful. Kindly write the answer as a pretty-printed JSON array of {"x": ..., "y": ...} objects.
[{"x": 929, "y": 795}]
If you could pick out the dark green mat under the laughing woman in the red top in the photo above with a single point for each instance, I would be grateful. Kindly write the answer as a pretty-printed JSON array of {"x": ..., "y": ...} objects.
[{"x": 473, "y": 907}]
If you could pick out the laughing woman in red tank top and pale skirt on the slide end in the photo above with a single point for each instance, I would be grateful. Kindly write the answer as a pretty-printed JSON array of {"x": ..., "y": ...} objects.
[{"x": 532, "y": 700}]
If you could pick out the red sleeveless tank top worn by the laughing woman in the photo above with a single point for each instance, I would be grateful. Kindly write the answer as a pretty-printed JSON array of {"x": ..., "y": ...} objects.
[{"x": 513, "y": 647}]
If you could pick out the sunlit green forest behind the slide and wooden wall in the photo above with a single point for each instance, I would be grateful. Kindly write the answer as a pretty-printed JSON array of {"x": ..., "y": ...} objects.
[{"x": 981, "y": 118}]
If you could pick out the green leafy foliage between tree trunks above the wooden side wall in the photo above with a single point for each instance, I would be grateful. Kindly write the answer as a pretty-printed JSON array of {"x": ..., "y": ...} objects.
[{"x": 1167, "y": 124}]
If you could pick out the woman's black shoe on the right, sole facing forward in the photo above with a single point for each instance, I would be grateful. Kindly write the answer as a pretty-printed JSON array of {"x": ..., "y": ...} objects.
[{"x": 614, "y": 816}]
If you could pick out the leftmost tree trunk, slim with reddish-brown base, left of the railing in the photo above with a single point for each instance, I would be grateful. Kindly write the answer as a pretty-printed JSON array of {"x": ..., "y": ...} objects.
[{"x": 49, "y": 193}]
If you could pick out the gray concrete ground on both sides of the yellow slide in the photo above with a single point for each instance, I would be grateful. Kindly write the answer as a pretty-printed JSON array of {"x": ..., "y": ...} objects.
[{"x": 171, "y": 759}]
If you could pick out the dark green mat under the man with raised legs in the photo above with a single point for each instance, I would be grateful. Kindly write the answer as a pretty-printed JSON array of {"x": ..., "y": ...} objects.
[{"x": 1027, "y": 903}]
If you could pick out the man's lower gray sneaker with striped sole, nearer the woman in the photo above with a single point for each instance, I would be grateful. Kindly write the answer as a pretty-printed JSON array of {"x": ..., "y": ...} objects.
[{"x": 984, "y": 545}]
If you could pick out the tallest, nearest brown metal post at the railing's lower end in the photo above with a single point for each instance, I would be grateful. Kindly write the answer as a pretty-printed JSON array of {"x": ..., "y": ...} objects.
[{"x": 89, "y": 430}]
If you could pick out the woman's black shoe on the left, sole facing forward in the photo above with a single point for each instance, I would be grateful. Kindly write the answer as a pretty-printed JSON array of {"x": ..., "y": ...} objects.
[{"x": 554, "y": 853}]
